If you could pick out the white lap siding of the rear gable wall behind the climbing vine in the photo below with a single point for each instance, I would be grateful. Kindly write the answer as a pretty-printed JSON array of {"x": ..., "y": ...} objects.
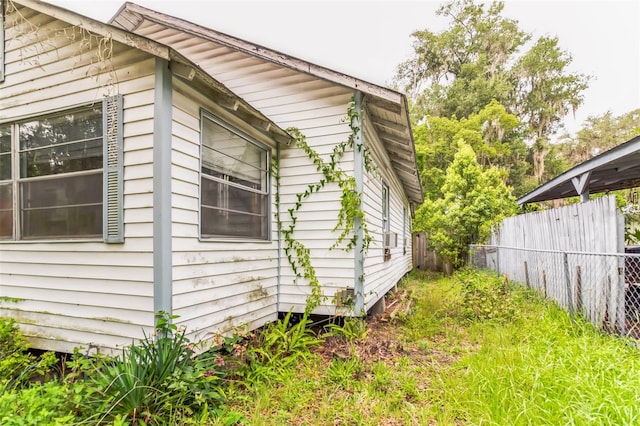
[{"x": 315, "y": 107}]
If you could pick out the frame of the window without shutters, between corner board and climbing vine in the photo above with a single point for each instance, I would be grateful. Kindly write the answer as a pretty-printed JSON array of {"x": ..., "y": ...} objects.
[{"x": 266, "y": 191}]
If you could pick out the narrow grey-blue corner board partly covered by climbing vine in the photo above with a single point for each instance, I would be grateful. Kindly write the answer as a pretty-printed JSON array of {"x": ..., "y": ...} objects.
[{"x": 358, "y": 172}]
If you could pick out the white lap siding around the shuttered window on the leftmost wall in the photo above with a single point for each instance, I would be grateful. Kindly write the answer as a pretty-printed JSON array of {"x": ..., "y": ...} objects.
[{"x": 69, "y": 293}]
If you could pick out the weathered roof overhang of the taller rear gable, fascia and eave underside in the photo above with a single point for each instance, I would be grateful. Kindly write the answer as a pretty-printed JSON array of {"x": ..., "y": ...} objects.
[{"x": 387, "y": 108}]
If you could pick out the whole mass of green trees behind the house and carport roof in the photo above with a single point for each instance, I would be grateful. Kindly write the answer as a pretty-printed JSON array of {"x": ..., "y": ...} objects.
[{"x": 486, "y": 81}]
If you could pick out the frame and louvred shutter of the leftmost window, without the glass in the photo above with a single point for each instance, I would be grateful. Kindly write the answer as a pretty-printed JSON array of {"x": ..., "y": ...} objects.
[{"x": 110, "y": 174}]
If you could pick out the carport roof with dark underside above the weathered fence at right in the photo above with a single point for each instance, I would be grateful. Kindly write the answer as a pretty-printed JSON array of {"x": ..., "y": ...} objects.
[{"x": 618, "y": 168}]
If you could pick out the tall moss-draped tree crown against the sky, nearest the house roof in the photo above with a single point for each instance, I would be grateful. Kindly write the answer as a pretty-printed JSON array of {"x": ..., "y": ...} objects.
[{"x": 460, "y": 70}]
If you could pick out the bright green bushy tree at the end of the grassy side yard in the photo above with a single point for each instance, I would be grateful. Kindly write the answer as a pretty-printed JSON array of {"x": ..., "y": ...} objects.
[{"x": 473, "y": 201}]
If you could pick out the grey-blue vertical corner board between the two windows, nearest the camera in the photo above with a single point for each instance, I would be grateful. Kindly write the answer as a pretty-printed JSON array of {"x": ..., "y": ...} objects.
[{"x": 162, "y": 248}]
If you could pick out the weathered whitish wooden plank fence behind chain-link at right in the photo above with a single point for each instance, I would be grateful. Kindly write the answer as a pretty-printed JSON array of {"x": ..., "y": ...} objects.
[{"x": 573, "y": 255}]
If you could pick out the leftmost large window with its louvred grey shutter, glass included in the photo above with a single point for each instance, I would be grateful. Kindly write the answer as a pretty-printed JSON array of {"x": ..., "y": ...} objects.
[{"x": 52, "y": 176}]
